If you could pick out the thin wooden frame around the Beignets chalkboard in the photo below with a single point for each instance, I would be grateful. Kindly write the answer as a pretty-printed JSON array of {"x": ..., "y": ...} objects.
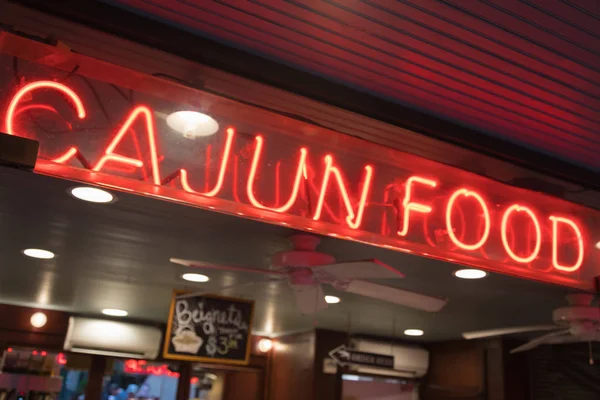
[{"x": 212, "y": 360}]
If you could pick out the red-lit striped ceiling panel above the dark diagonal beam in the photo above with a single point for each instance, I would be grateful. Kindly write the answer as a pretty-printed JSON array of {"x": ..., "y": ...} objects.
[{"x": 524, "y": 70}]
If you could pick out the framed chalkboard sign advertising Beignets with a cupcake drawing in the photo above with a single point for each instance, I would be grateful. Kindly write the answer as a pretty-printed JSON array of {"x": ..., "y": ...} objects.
[{"x": 209, "y": 328}]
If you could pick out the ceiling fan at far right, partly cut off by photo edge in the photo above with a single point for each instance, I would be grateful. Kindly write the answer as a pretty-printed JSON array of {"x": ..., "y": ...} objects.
[{"x": 577, "y": 322}]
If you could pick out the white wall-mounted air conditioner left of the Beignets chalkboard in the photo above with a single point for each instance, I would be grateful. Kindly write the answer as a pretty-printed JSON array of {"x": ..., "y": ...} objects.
[{"x": 112, "y": 338}]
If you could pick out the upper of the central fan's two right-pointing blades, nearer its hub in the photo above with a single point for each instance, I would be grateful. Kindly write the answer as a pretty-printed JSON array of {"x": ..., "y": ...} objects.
[{"x": 365, "y": 269}]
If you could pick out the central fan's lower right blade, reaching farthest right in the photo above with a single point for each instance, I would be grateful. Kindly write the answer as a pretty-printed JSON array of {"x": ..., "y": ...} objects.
[{"x": 393, "y": 295}]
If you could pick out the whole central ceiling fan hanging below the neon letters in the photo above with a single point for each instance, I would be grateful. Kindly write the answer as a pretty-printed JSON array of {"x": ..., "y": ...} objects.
[{"x": 306, "y": 270}]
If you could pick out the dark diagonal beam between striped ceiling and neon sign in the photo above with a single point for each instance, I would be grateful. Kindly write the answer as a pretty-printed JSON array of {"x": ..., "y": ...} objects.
[{"x": 149, "y": 32}]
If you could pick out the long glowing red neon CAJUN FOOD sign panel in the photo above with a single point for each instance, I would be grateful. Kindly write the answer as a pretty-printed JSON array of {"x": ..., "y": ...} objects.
[{"x": 110, "y": 126}]
